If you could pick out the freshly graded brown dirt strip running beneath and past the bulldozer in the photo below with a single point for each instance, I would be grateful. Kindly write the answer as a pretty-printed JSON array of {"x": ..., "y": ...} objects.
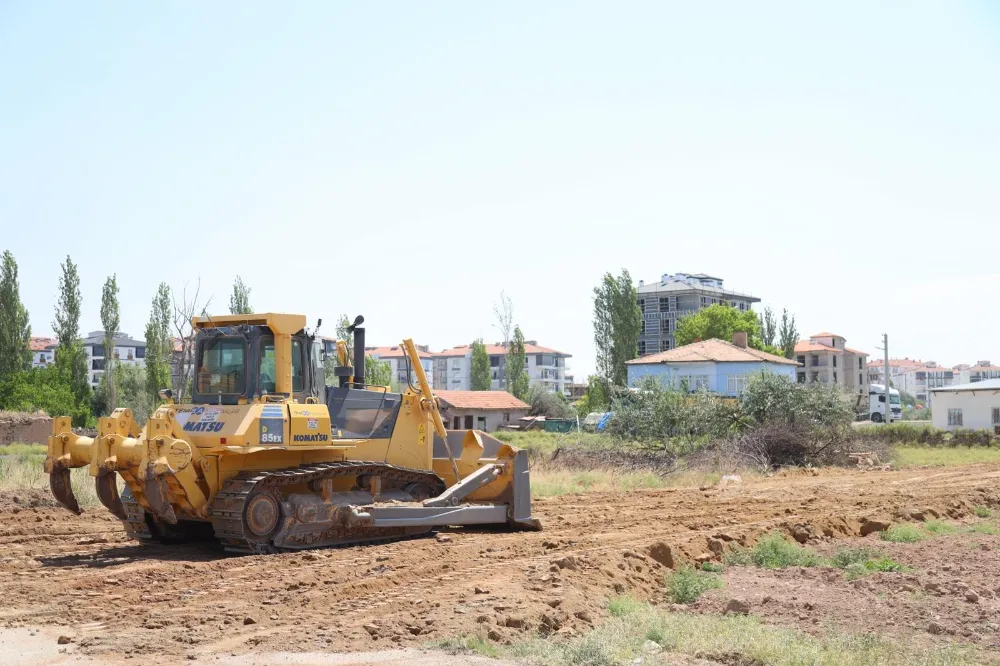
[{"x": 79, "y": 577}]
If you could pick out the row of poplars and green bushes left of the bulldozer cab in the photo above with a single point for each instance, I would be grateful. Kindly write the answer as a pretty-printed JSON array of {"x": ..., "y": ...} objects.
[{"x": 63, "y": 387}]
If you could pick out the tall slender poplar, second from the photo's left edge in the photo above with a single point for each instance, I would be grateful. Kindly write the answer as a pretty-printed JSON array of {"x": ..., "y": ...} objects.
[{"x": 71, "y": 359}]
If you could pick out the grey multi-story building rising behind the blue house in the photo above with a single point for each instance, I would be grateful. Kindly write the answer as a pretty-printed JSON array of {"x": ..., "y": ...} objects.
[{"x": 673, "y": 297}]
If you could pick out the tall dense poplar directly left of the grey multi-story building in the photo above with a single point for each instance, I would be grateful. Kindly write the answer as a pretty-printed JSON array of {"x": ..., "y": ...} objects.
[{"x": 617, "y": 324}]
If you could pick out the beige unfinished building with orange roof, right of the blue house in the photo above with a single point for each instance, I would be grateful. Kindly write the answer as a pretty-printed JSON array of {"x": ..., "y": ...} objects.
[{"x": 825, "y": 358}]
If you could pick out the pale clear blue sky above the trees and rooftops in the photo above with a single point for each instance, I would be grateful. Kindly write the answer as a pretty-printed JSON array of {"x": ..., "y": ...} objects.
[{"x": 409, "y": 160}]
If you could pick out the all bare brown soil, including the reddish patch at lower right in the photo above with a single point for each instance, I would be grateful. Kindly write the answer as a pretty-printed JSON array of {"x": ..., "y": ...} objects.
[{"x": 78, "y": 577}]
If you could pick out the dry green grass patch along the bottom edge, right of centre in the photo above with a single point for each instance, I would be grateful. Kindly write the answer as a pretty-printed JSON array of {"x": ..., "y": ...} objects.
[{"x": 726, "y": 639}]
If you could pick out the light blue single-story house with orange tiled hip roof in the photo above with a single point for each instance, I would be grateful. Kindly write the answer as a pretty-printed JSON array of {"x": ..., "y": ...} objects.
[{"x": 719, "y": 366}]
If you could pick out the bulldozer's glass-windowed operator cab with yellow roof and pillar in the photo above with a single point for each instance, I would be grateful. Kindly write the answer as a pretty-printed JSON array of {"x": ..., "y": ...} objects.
[{"x": 240, "y": 358}]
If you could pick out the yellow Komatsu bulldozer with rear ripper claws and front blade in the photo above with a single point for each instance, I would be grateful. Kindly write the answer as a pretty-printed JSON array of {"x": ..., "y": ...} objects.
[{"x": 265, "y": 457}]
